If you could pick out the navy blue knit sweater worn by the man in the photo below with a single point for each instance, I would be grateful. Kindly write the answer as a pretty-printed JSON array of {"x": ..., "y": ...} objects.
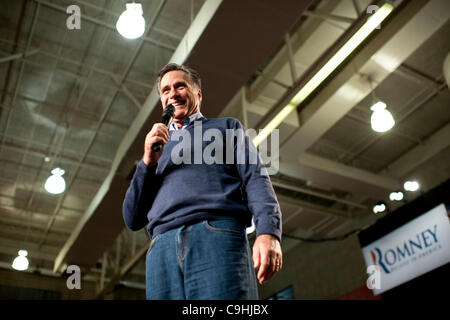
[{"x": 170, "y": 194}]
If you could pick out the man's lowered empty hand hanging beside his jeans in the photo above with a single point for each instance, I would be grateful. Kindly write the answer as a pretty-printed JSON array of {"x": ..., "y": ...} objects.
[{"x": 267, "y": 256}]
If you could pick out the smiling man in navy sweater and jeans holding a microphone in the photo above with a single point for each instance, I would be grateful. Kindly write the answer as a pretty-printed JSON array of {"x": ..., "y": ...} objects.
[{"x": 197, "y": 214}]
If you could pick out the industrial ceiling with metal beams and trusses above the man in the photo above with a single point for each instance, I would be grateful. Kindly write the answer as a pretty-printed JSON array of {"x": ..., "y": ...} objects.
[{"x": 83, "y": 99}]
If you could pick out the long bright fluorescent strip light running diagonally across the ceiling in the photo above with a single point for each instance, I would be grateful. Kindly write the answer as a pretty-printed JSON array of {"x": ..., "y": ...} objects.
[{"x": 371, "y": 24}]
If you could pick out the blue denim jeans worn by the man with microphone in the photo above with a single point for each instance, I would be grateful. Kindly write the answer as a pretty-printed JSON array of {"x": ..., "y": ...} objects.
[{"x": 208, "y": 260}]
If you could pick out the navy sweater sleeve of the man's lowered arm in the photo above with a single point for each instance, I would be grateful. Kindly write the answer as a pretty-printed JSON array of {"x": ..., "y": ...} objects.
[{"x": 261, "y": 199}]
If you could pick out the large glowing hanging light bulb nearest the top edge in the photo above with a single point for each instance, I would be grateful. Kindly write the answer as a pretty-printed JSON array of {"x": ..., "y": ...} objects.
[{"x": 131, "y": 23}]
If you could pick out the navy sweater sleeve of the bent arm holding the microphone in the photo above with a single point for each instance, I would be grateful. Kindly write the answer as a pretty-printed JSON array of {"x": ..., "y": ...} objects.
[{"x": 139, "y": 197}]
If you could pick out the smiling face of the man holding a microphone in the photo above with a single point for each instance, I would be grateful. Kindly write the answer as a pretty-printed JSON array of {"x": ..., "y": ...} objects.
[{"x": 176, "y": 89}]
